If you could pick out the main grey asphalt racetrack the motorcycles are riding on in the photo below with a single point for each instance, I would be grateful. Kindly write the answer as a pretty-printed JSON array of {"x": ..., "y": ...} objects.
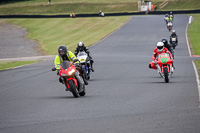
[{"x": 123, "y": 95}]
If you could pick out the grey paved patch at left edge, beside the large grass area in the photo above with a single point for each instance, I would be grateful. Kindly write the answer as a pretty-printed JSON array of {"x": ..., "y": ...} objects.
[{"x": 14, "y": 41}]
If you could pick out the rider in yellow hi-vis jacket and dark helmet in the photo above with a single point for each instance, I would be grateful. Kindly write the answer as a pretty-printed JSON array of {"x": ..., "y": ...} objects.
[{"x": 63, "y": 54}]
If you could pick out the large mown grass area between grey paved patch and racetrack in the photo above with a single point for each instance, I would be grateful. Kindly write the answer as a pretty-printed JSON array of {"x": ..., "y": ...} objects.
[{"x": 50, "y": 33}]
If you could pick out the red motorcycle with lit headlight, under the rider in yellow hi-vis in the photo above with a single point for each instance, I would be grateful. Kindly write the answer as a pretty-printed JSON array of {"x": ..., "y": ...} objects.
[{"x": 71, "y": 78}]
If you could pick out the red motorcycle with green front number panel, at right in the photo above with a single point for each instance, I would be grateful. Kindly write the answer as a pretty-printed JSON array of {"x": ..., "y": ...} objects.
[{"x": 164, "y": 65}]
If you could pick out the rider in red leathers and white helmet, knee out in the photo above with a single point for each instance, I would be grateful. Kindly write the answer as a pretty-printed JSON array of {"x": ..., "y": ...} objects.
[{"x": 157, "y": 51}]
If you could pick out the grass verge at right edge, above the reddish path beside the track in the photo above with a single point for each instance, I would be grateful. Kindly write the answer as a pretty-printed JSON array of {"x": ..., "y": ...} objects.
[{"x": 194, "y": 34}]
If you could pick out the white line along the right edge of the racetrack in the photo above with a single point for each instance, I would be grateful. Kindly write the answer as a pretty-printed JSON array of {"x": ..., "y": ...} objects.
[{"x": 194, "y": 66}]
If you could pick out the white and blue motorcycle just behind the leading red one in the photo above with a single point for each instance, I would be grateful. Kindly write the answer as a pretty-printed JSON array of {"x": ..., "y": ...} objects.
[{"x": 85, "y": 63}]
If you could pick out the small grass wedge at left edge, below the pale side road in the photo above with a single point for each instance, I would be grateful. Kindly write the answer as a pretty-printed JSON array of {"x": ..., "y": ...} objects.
[{"x": 11, "y": 64}]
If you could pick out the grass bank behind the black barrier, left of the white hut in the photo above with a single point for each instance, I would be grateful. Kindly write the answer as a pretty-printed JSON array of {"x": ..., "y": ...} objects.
[{"x": 71, "y": 7}]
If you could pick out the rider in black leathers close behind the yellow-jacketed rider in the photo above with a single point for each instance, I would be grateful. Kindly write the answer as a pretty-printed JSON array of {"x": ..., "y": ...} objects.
[{"x": 81, "y": 47}]
